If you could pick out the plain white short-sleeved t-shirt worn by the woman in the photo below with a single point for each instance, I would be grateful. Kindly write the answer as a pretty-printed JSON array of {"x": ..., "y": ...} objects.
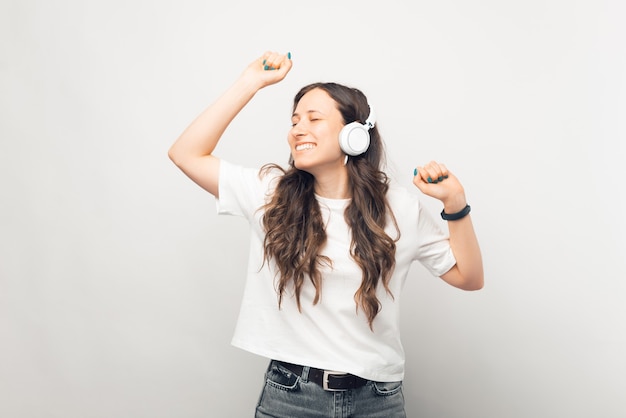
[{"x": 332, "y": 334}]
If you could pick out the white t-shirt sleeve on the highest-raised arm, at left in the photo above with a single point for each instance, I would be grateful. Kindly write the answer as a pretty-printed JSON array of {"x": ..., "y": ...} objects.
[{"x": 241, "y": 190}]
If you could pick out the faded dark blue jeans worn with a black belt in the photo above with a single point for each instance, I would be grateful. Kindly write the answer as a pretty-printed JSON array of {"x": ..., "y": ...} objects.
[{"x": 286, "y": 395}]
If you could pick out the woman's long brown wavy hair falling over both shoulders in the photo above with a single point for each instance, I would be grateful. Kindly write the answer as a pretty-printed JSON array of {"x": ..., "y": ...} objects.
[{"x": 293, "y": 222}]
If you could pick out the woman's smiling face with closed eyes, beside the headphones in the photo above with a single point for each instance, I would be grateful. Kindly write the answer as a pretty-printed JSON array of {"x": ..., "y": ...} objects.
[{"x": 314, "y": 136}]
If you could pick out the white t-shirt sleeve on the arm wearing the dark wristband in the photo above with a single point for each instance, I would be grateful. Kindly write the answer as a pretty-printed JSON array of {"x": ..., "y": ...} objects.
[{"x": 434, "y": 250}]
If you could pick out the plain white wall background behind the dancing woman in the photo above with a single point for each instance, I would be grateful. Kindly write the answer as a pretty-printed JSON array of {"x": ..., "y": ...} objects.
[{"x": 120, "y": 287}]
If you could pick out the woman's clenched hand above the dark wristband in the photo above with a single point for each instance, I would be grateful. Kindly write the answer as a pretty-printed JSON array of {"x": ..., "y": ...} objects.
[{"x": 435, "y": 180}]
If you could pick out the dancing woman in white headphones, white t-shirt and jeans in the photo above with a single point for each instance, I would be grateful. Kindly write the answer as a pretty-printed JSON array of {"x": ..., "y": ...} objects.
[{"x": 331, "y": 244}]
